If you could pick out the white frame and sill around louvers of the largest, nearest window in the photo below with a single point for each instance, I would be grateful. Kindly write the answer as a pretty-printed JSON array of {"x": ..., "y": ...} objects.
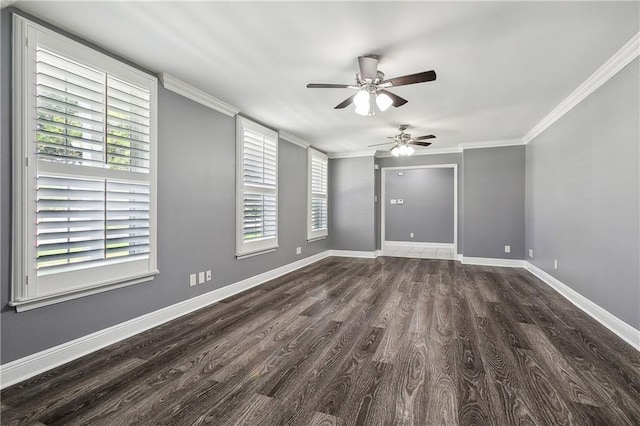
[{"x": 23, "y": 274}]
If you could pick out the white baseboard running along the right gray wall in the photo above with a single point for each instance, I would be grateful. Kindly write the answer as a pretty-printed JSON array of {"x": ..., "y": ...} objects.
[{"x": 604, "y": 317}]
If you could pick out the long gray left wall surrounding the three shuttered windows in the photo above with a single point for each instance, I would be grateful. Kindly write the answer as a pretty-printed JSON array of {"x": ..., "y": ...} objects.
[{"x": 196, "y": 224}]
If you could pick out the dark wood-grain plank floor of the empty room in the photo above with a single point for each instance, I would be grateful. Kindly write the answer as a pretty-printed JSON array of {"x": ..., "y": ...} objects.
[{"x": 353, "y": 341}]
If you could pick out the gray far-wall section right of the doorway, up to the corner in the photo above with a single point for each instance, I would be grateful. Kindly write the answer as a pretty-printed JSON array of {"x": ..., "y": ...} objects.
[{"x": 494, "y": 202}]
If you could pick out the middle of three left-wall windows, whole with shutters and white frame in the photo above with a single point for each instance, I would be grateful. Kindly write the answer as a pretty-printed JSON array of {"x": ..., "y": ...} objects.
[{"x": 257, "y": 188}]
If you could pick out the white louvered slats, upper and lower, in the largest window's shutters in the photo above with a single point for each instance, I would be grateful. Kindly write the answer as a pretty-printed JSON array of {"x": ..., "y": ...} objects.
[{"x": 88, "y": 118}]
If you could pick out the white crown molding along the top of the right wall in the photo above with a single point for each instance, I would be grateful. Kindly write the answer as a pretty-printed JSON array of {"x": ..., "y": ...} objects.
[{"x": 619, "y": 60}]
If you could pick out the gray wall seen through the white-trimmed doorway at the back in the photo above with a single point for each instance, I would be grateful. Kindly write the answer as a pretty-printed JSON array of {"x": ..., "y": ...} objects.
[{"x": 428, "y": 205}]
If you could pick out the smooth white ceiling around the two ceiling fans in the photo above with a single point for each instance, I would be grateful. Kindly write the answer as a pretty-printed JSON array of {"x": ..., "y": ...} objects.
[{"x": 501, "y": 66}]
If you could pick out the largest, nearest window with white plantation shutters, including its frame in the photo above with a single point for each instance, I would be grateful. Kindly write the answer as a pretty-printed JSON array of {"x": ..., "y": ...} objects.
[{"x": 84, "y": 169}]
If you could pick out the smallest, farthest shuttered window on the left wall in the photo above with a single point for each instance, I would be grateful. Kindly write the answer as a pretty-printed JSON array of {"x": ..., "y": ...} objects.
[{"x": 317, "y": 221}]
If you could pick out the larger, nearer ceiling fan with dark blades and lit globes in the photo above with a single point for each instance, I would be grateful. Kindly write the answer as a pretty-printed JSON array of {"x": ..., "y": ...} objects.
[{"x": 372, "y": 87}]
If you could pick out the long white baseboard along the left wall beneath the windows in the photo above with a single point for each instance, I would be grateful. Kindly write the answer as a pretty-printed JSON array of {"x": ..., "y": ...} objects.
[{"x": 29, "y": 366}]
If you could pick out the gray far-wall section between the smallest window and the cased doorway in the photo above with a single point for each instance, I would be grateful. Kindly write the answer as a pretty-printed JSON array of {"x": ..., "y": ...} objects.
[{"x": 351, "y": 205}]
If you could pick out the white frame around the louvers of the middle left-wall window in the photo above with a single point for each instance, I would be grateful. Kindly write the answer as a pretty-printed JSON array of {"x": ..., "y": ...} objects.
[{"x": 267, "y": 245}]
